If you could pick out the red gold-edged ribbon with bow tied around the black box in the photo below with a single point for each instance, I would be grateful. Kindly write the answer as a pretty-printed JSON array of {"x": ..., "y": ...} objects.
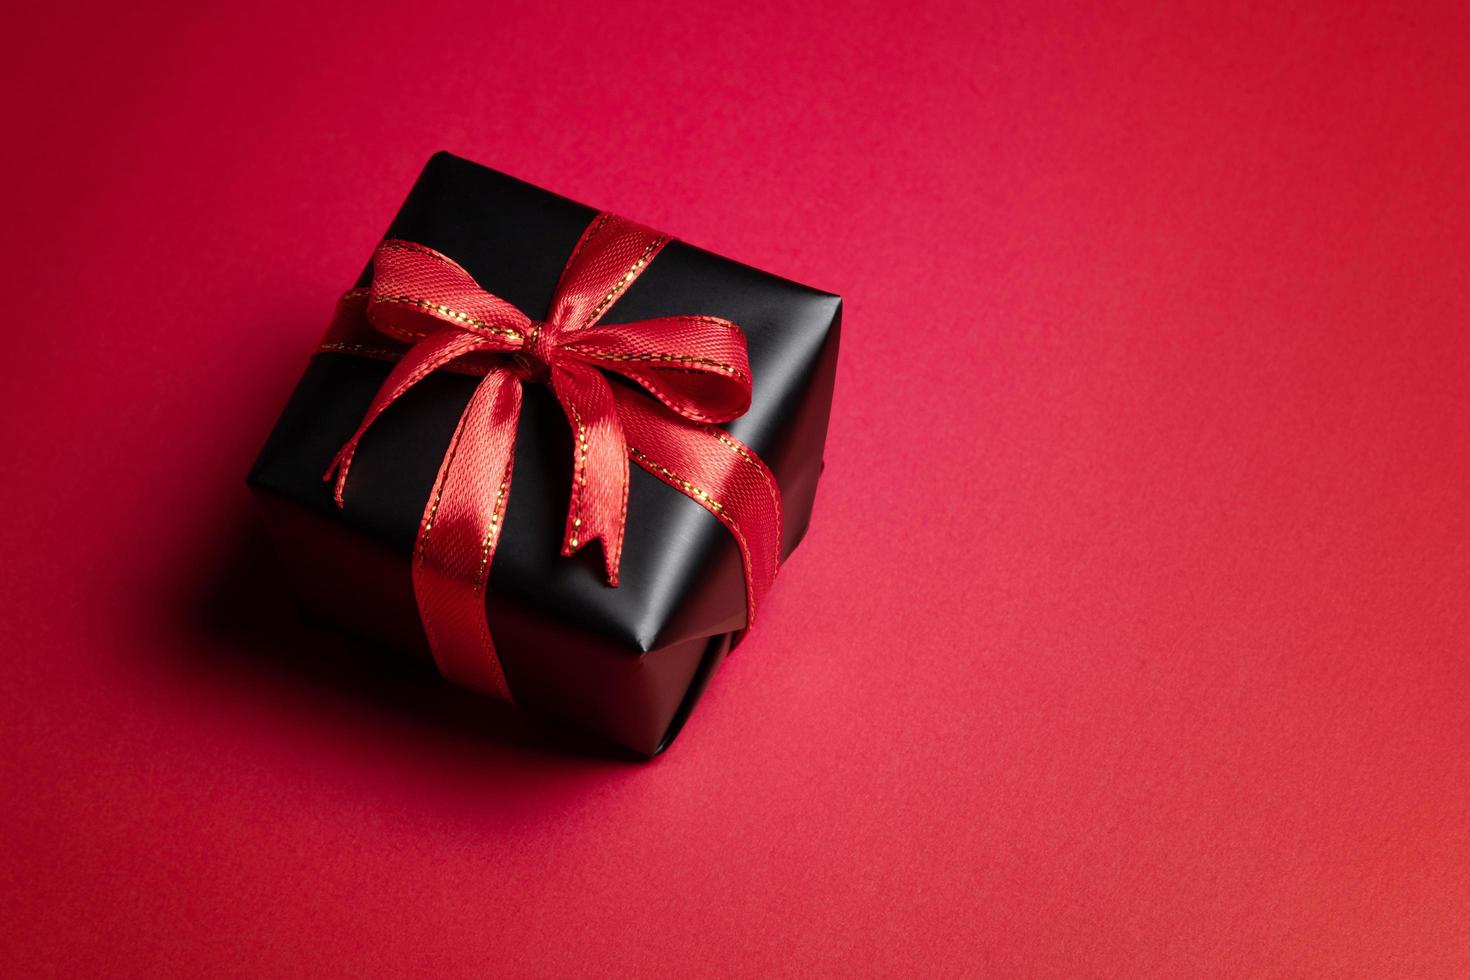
[{"x": 696, "y": 367}]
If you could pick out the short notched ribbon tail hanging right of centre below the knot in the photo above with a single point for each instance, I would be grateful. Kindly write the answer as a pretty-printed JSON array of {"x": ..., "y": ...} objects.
[{"x": 599, "y": 505}]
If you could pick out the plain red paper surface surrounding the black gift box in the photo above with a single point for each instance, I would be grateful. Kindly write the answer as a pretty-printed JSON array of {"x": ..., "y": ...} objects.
[{"x": 1131, "y": 635}]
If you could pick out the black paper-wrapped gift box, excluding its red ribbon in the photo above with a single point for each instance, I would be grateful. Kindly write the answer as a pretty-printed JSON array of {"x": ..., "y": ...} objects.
[{"x": 630, "y": 662}]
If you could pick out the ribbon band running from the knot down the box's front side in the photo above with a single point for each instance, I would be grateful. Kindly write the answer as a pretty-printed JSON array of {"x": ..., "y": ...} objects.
[{"x": 459, "y": 533}]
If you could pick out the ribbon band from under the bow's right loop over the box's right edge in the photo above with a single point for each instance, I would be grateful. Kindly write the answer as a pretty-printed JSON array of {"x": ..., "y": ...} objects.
[{"x": 720, "y": 474}]
